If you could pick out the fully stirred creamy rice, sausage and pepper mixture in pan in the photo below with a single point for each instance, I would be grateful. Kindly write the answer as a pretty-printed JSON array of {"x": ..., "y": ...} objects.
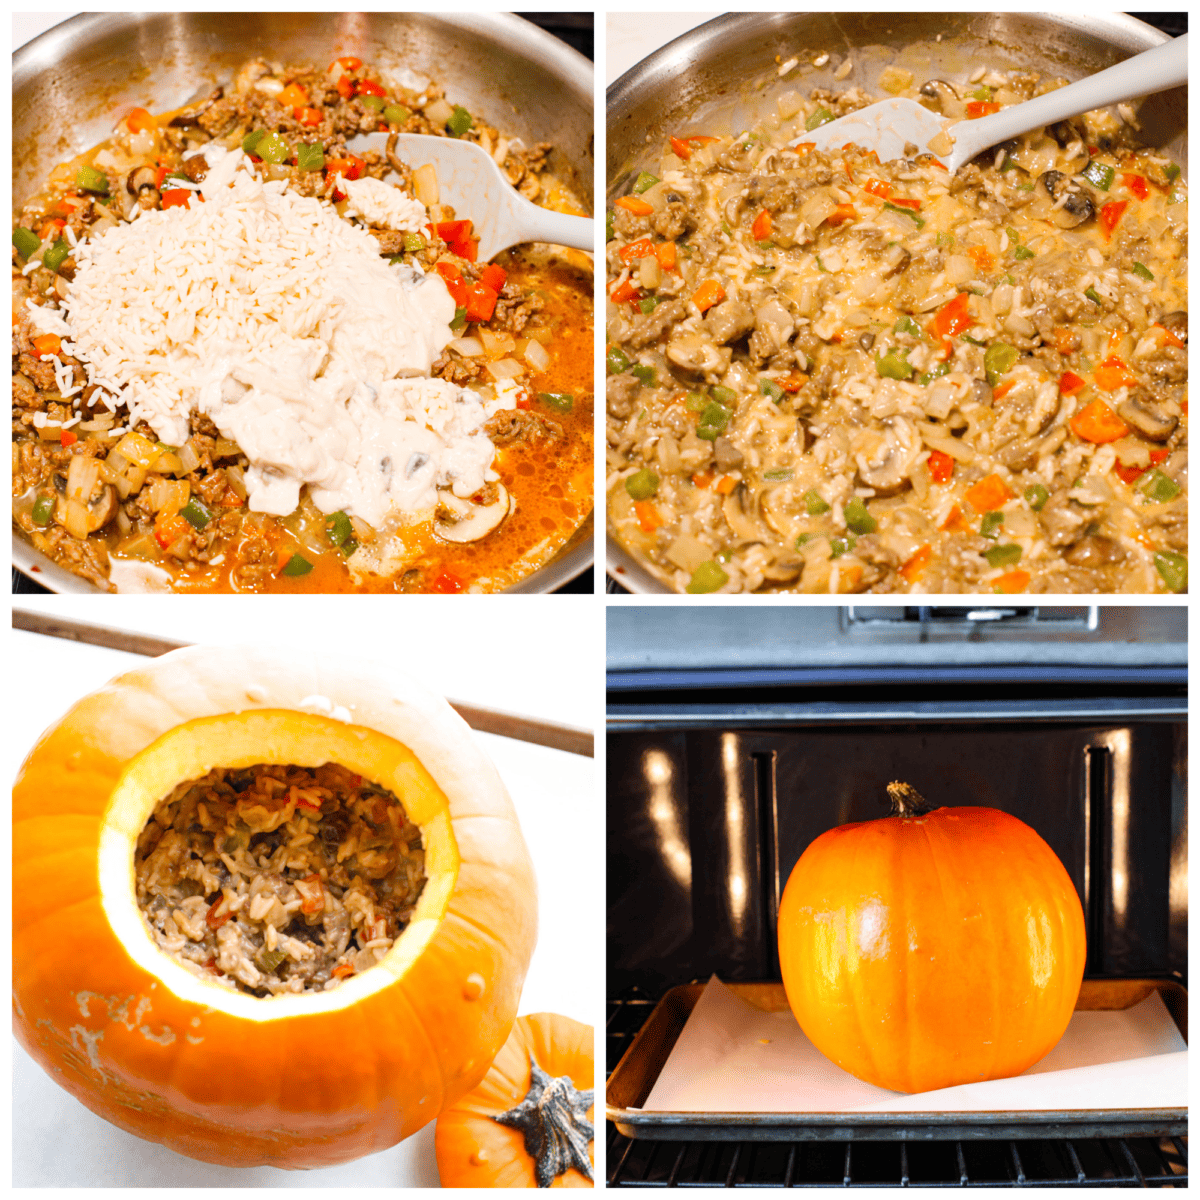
[{"x": 831, "y": 375}]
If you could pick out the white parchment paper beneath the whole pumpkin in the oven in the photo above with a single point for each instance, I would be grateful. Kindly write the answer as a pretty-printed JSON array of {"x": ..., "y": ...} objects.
[{"x": 733, "y": 1058}]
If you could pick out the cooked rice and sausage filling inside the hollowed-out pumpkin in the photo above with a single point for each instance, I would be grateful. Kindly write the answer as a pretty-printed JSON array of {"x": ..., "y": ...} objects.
[{"x": 279, "y": 880}]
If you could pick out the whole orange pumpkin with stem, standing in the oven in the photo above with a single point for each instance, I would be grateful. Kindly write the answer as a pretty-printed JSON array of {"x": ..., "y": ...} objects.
[{"x": 928, "y": 950}]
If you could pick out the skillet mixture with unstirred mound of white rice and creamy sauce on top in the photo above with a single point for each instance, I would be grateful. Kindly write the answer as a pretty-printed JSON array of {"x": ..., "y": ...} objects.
[{"x": 253, "y": 353}]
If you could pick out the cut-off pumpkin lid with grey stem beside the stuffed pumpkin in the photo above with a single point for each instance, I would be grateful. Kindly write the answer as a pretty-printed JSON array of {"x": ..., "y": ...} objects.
[{"x": 530, "y": 1123}]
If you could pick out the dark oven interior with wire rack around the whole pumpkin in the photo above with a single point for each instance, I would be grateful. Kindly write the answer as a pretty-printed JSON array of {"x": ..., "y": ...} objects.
[{"x": 731, "y": 748}]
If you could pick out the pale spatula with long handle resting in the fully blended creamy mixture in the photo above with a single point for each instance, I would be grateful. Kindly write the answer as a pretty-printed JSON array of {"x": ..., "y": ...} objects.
[{"x": 887, "y": 127}]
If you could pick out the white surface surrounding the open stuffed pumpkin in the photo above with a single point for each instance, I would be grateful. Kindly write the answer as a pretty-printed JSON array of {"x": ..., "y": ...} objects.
[{"x": 518, "y": 653}]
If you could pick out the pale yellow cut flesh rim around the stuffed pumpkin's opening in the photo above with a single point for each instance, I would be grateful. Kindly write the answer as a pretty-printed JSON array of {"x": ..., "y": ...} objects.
[{"x": 278, "y": 737}]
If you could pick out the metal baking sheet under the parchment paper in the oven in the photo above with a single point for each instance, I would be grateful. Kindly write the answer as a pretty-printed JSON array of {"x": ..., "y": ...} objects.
[{"x": 639, "y": 1069}]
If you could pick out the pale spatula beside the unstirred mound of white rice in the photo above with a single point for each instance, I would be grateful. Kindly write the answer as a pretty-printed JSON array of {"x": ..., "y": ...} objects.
[{"x": 471, "y": 182}]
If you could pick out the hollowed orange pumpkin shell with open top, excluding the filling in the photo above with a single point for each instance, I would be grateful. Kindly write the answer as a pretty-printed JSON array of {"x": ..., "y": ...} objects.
[{"x": 304, "y": 1081}]
